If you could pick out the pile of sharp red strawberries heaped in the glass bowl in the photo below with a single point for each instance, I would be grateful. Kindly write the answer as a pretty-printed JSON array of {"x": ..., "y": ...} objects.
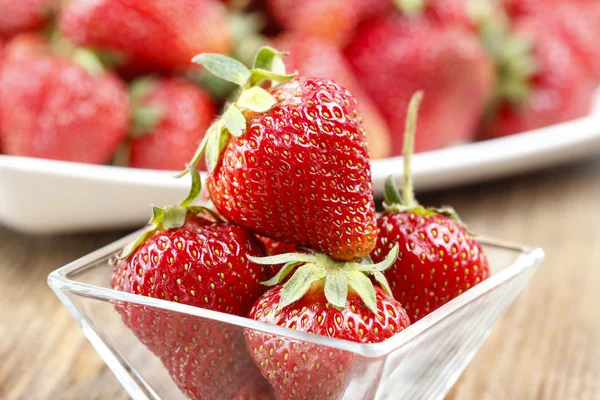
[{"x": 293, "y": 240}]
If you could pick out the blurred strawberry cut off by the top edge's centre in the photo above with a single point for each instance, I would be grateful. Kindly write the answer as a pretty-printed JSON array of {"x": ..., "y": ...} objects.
[{"x": 332, "y": 20}]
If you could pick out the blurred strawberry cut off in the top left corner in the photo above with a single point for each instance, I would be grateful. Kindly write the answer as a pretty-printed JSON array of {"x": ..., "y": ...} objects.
[{"x": 24, "y": 15}]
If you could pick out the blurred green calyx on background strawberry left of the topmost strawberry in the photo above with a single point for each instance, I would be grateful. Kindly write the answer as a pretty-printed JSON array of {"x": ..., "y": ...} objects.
[{"x": 144, "y": 117}]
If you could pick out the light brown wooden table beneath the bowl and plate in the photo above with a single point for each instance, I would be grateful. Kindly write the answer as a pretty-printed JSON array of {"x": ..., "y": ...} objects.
[{"x": 547, "y": 346}]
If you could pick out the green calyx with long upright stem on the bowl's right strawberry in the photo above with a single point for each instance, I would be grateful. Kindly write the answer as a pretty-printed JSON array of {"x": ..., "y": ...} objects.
[{"x": 393, "y": 200}]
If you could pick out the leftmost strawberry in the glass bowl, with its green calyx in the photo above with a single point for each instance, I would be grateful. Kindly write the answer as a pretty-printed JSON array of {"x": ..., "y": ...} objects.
[{"x": 186, "y": 258}]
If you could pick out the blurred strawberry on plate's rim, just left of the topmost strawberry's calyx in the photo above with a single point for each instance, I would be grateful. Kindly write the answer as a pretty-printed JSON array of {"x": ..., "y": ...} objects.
[{"x": 170, "y": 118}]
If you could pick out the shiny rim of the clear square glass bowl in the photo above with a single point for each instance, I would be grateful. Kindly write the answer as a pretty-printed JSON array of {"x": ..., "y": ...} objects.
[{"x": 59, "y": 281}]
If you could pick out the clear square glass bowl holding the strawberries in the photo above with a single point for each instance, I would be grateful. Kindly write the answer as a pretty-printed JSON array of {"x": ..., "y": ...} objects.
[{"x": 421, "y": 362}]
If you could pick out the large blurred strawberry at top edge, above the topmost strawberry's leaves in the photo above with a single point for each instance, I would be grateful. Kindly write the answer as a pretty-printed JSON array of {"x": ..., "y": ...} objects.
[{"x": 151, "y": 34}]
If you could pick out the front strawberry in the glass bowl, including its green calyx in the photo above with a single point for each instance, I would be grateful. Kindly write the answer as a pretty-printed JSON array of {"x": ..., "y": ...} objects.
[{"x": 328, "y": 298}]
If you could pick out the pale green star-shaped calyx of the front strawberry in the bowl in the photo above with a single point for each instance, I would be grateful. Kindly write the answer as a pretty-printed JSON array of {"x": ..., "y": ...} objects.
[{"x": 337, "y": 277}]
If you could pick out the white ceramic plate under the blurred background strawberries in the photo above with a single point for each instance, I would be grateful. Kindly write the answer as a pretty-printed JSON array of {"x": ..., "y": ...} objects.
[{"x": 44, "y": 196}]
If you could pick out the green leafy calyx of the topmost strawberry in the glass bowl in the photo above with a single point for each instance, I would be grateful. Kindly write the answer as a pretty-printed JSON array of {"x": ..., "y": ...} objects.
[{"x": 268, "y": 66}]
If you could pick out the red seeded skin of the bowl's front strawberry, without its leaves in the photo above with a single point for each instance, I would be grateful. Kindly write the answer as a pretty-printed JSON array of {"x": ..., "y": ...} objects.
[{"x": 299, "y": 370}]
